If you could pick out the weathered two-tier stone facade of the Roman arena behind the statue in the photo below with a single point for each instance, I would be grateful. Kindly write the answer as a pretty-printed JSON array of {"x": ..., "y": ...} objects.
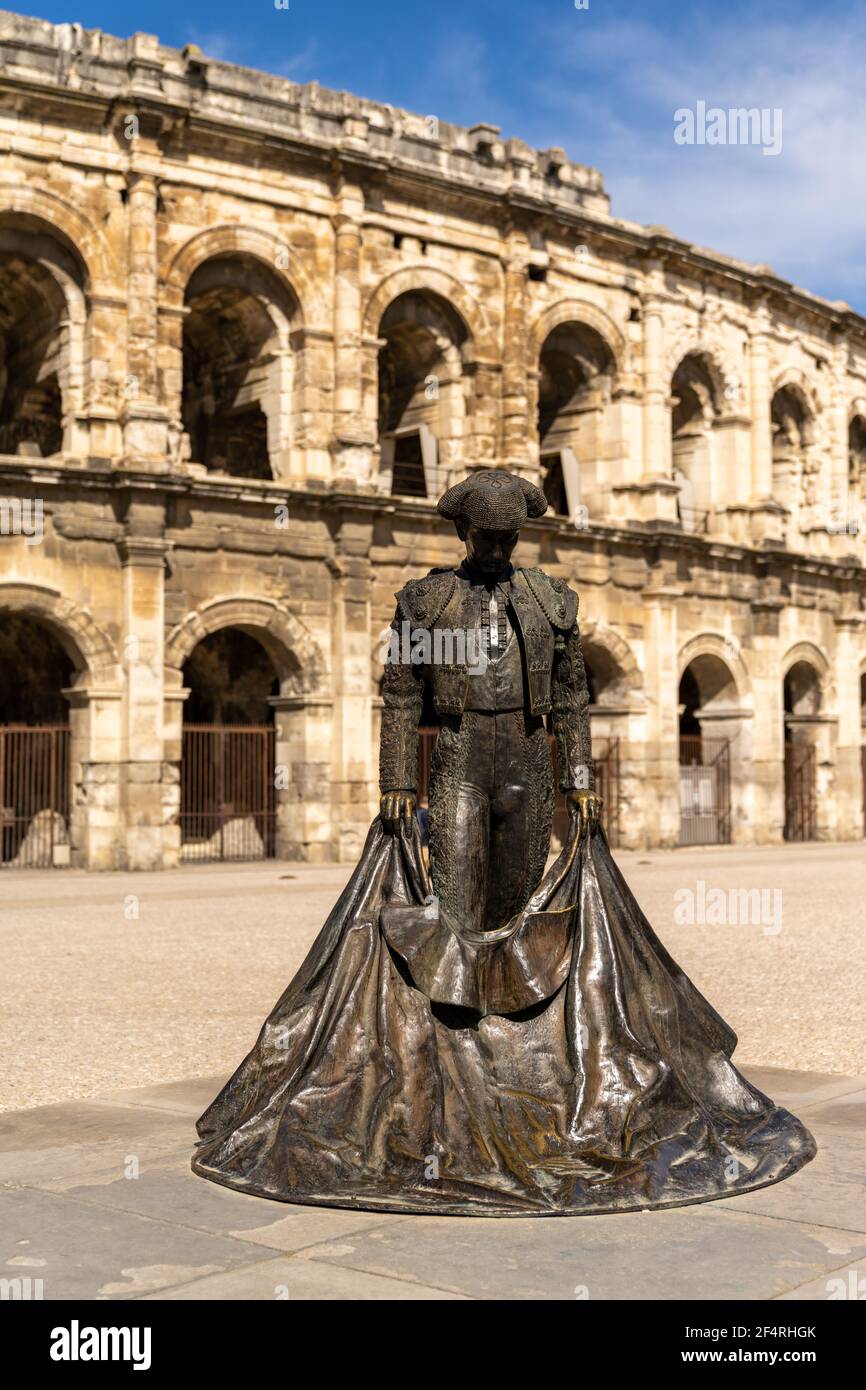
[{"x": 251, "y": 330}]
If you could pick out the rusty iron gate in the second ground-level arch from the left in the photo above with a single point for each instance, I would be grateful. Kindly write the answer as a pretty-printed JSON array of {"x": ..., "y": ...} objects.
[{"x": 229, "y": 793}]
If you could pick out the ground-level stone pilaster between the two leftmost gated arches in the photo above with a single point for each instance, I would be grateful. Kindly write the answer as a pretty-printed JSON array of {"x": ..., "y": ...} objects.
[{"x": 147, "y": 803}]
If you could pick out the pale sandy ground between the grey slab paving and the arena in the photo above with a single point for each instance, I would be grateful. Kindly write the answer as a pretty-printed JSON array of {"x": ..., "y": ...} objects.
[{"x": 126, "y": 981}]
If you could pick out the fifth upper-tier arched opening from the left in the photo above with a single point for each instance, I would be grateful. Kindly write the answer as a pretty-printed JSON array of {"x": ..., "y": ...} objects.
[{"x": 694, "y": 416}]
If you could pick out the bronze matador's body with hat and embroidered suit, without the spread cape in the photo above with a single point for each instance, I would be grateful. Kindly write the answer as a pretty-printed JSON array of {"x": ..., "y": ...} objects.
[{"x": 491, "y": 792}]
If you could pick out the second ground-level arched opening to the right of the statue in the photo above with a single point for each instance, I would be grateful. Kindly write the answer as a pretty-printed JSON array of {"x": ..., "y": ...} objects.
[{"x": 710, "y": 726}]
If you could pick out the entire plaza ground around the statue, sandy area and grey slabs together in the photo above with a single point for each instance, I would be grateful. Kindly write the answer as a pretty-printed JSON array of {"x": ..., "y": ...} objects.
[{"x": 131, "y": 997}]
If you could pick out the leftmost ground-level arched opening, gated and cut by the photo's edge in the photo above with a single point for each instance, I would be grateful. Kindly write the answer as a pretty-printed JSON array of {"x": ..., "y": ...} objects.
[{"x": 35, "y": 789}]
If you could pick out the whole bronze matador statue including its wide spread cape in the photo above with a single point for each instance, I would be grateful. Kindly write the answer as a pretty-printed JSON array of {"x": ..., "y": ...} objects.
[{"x": 486, "y": 1038}]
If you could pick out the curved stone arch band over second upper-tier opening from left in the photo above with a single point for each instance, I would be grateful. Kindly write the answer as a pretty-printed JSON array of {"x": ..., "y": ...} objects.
[{"x": 263, "y": 247}]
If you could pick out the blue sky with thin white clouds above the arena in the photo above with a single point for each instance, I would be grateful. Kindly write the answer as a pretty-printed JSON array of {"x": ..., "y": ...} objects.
[{"x": 604, "y": 84}]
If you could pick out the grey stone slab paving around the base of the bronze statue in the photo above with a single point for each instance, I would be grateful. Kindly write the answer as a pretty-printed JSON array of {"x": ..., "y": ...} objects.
[{"x": 73, "y": 1216}]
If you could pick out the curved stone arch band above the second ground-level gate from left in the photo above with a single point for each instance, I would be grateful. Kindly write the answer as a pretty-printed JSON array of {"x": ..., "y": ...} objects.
[{"x": 297, "y": 657}]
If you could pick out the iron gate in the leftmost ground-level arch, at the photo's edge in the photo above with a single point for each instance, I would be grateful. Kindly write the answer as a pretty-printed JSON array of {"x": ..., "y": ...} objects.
[{"x": 34, "y": 796}]
